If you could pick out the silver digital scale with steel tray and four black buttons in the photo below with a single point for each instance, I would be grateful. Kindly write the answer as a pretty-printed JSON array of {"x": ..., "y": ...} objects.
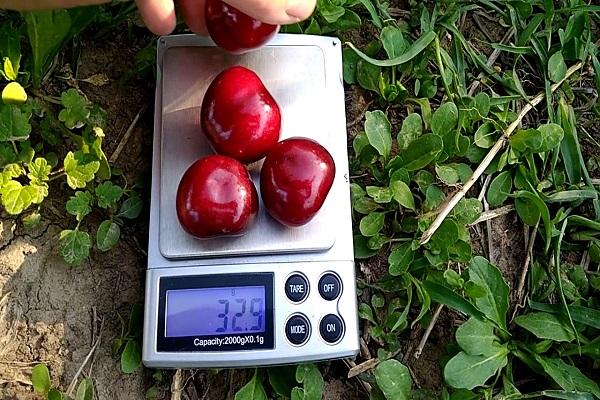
[{"x": 276, "y": 295}]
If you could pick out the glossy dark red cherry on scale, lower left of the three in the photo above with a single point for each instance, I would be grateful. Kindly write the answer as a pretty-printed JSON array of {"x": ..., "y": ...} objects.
[{"x": 216, "y": 197}]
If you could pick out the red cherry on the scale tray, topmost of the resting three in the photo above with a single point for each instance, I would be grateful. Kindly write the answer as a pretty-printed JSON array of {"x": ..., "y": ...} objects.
[{"x": 239, "y": 116}]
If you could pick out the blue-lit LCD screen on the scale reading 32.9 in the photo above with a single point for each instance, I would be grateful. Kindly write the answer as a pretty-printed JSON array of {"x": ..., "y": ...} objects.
[{"x": 215, "y": 311}]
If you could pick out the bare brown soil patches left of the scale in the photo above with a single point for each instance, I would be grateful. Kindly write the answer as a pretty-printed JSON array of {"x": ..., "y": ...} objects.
[{"x": 51, "y": 312}]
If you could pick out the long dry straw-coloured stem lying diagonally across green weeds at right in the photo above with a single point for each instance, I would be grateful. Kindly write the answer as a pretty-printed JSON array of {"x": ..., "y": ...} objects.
[{"x": 449, "y": 206}]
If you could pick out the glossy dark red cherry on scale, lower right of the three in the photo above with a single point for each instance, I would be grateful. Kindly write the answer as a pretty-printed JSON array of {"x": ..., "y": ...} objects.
[{"x": 295, "y": 179}]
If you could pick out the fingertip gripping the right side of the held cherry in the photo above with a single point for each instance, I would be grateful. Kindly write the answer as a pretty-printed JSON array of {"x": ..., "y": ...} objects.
[{"x": 279, "y": 12}]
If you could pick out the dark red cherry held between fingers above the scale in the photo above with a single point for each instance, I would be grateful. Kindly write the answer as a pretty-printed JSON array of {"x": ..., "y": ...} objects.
[{"x": 234, "y": 31}]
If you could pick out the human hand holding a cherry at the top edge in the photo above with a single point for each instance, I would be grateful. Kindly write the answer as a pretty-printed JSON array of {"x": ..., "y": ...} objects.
[{"x": 159, "y": 15}]
